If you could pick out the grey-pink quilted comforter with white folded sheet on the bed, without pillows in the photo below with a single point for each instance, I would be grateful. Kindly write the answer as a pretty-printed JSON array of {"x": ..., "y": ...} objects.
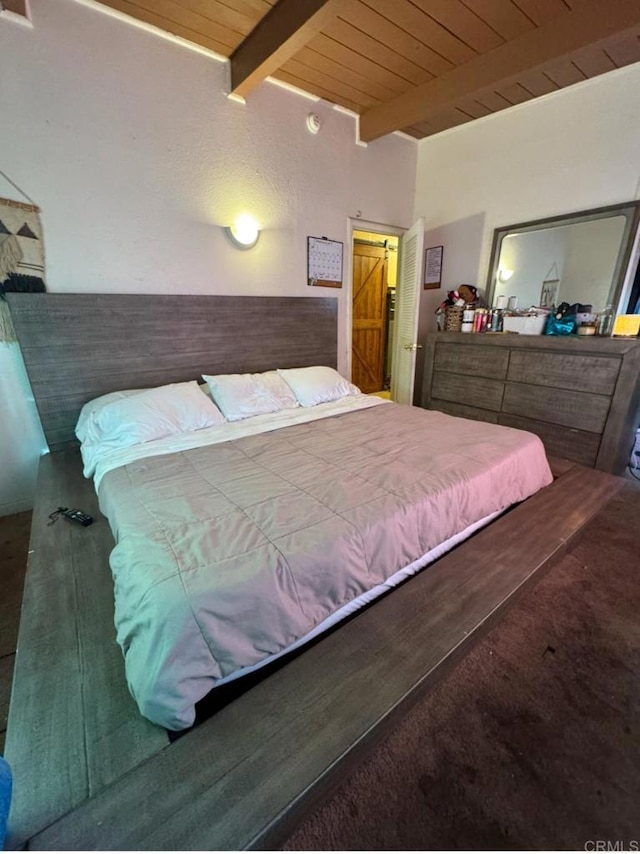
[{"x": 238, "y": 542}]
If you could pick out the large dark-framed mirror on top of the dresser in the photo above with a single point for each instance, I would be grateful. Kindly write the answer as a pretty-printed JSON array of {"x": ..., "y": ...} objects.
[{"x": 577, "y": 258}]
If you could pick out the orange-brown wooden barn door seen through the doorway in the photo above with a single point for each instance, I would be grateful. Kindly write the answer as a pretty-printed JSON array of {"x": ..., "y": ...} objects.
[{"x": 369, "y": 316}]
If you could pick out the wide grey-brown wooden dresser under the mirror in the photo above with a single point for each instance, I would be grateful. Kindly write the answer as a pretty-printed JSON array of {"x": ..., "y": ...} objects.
[{"x": 580, "y": 395}]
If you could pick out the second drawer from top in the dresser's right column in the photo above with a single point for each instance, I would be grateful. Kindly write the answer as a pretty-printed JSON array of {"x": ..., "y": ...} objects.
[{"x": 557, "y": 406}]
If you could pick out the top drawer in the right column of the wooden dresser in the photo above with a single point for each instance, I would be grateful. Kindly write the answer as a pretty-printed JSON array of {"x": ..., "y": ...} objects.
[{"x": 588, "y": 373}]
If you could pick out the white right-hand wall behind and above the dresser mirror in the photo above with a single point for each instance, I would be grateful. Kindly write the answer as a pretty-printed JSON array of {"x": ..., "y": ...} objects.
[{"x": 576, "y": 149}]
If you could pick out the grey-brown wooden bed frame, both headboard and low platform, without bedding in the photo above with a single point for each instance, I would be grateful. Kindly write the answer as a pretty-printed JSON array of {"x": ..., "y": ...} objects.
[{"x": 89, "y": 771}]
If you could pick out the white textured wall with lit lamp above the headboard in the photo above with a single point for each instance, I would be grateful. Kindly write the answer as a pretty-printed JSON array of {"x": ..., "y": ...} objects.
[{"x": 134, "y": 154}]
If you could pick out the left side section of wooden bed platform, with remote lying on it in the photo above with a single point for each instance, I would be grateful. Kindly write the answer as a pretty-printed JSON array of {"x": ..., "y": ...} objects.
[{"x": 69, "y": 702}]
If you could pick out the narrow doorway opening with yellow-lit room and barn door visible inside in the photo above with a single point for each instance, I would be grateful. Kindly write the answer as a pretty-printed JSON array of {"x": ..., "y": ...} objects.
[{"x": 373, "y": 296}]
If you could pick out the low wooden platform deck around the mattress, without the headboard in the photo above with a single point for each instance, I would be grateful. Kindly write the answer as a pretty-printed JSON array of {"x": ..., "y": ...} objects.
[{"x": 90, "y": 773}]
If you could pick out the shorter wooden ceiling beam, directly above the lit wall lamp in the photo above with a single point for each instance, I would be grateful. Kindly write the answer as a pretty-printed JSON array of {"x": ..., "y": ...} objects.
[{"x": 283, "y": 31}]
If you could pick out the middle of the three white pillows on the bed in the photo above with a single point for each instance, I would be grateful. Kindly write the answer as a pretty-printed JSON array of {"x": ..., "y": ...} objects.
[{"x": 244, "y": 395}]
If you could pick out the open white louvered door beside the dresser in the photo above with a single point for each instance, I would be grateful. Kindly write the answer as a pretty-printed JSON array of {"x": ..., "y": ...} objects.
[{"x": 406, "y": 315}]
